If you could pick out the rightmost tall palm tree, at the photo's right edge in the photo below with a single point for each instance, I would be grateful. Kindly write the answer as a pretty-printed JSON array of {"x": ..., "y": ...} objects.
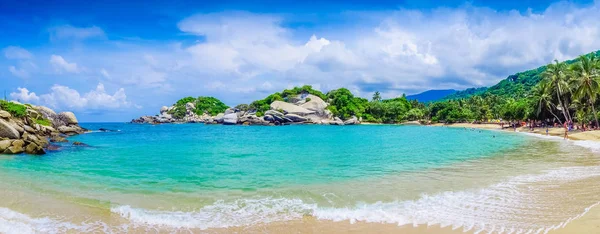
[{"x": 586, "y": 80}]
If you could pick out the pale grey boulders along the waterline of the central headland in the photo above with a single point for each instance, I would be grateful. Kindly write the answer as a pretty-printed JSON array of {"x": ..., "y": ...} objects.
[{"x": 301, "y": 109}]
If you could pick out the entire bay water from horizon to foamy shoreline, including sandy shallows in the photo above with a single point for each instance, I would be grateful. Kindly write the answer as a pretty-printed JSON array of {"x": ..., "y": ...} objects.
[{"x": 199, "y": 177}]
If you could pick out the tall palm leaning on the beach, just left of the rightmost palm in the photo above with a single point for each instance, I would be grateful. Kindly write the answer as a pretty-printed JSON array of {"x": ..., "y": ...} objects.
[{"x": 555, "y": 76}]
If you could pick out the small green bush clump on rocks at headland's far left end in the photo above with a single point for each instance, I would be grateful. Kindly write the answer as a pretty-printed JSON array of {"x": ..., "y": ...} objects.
[{"x": 203, "y": 105}]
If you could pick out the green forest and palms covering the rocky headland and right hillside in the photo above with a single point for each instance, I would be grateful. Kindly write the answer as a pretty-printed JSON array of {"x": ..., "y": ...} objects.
[{"x": 558, "y": 92}]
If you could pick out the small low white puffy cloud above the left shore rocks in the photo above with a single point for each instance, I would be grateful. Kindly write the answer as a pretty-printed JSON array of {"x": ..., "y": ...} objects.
[{"x": 63, "y": 97}]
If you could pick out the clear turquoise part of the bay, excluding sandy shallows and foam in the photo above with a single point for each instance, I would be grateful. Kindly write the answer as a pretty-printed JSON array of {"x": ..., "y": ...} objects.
[{"x": 196, "y": 158}]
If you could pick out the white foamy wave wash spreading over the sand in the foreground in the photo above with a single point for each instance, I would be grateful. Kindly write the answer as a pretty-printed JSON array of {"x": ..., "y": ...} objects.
[{"x": 507, "y": 207}]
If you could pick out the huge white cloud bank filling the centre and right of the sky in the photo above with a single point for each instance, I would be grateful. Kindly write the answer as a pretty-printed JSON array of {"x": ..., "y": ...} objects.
[{"x": 406, "y": 51}]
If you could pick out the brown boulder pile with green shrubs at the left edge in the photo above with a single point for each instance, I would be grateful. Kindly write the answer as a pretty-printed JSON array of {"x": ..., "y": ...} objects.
[{"x": 29, "y": 135}]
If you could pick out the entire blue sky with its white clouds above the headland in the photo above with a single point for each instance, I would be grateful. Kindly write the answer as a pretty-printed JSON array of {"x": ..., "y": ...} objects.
[{"x": 116, "y": 60}]
